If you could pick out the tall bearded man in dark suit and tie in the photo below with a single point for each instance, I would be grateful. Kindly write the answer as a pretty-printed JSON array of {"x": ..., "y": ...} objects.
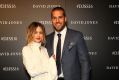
[{"x": 74, "y": 63}]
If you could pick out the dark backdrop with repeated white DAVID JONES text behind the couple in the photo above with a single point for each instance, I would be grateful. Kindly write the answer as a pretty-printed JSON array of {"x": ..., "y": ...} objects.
[{"x": 98, "y": 20}]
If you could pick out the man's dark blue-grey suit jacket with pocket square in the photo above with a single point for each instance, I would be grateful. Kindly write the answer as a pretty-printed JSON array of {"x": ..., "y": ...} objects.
[{"x": 75, "y": 59}]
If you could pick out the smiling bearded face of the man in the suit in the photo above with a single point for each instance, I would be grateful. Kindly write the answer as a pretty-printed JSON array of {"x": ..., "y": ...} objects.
[{"x": 58, "y": 20}]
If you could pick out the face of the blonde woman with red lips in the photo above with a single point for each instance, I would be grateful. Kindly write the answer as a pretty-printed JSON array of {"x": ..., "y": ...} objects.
[{"x": 38, "y": 35}]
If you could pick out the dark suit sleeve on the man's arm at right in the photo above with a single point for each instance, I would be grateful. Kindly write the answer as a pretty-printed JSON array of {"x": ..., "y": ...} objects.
[{"x": 83, "y": 58}]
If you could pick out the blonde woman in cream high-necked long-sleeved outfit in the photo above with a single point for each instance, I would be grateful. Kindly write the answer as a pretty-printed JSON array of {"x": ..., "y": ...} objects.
[{"x": 35, "y": 57}]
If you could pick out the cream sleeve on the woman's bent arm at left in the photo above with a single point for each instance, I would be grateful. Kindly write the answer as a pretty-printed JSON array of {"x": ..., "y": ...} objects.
[{"x": 34, "y": 69}]
